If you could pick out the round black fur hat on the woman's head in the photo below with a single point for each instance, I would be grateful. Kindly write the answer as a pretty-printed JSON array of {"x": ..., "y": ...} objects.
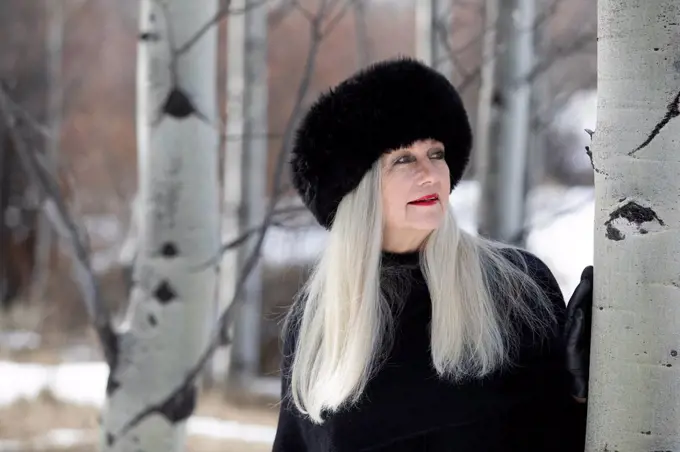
[{"x": 386, "y": 106}]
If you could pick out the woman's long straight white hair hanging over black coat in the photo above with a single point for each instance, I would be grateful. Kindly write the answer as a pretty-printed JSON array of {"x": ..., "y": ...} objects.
[{"x": 342, "y": 317}]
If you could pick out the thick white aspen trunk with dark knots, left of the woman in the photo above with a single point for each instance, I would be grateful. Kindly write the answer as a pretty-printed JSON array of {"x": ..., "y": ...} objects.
[{"x": 173, "y": 294}]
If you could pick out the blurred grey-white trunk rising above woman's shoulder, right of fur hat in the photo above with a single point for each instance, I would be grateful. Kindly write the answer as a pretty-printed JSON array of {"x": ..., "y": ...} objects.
[{"x": 504, "y": 123}]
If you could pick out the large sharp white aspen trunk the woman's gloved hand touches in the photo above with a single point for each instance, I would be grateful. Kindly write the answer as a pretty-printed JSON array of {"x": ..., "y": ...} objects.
[{"x": 634, "y": 401}]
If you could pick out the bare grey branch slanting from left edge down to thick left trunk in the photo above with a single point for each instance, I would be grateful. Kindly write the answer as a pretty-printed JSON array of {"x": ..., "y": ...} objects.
[{"x": 57, "y": 211}]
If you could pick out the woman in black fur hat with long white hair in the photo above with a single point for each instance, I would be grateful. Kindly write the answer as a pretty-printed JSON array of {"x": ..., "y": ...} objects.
[{"x": 412, "y": 335}]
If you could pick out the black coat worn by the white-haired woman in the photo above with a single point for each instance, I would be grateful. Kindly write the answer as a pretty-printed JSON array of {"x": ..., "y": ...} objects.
[{"x": 407, "y": 407}]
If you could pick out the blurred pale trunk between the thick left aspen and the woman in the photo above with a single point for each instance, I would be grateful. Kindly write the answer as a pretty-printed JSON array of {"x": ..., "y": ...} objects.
[{"x": 245, "y": 179}]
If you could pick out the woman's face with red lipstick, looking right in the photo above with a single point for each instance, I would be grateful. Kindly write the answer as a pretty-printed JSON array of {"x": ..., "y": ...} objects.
[{"x": 409, "y": 174}]
